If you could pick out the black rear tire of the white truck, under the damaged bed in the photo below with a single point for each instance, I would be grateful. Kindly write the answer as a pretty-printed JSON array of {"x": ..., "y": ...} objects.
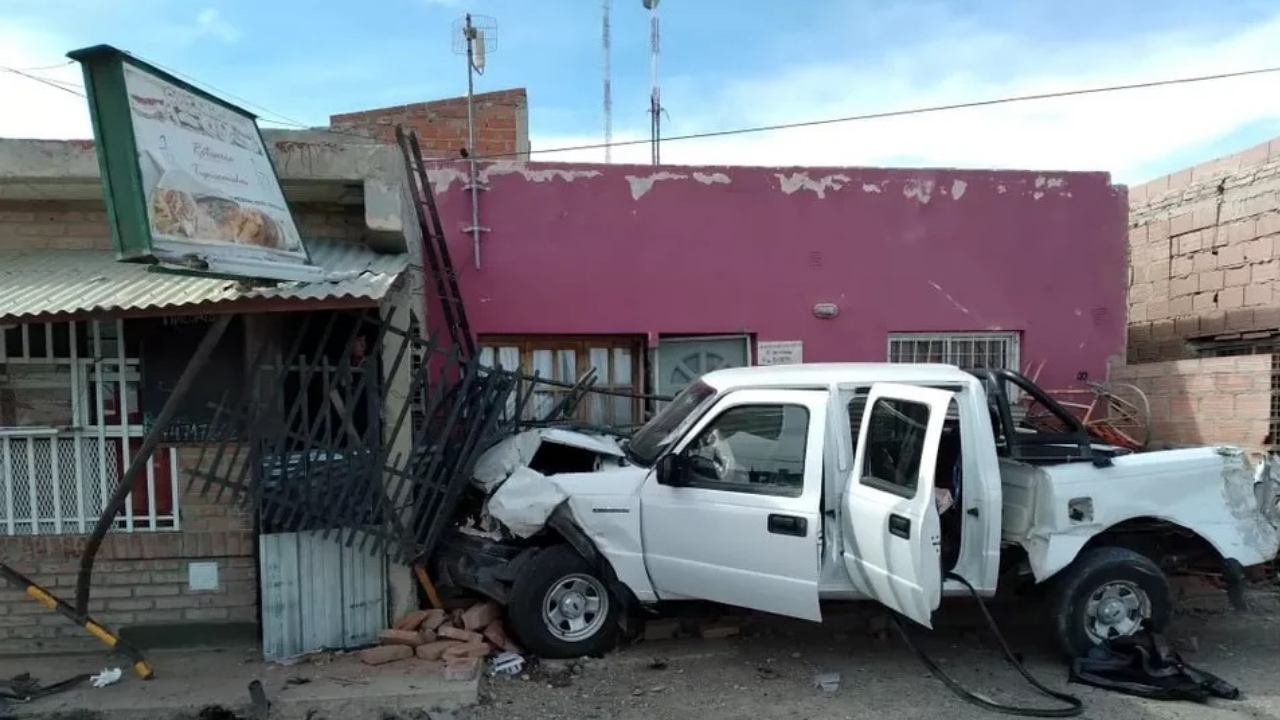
[{"x": 1091, "y": 573}]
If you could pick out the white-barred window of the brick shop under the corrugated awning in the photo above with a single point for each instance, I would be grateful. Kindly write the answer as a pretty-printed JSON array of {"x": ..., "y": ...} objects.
[{"x": 70, "y": 426}]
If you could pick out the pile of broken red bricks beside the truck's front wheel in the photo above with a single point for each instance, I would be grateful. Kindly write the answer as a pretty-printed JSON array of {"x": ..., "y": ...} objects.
[{"x": 455, "y": 642}]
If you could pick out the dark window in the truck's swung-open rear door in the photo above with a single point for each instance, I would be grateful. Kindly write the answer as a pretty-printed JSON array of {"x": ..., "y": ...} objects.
[{"x": 895, "y": 441}]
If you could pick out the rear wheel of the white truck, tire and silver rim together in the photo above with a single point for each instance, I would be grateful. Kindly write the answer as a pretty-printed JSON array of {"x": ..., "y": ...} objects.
[{"x": 1105, "y": 594}]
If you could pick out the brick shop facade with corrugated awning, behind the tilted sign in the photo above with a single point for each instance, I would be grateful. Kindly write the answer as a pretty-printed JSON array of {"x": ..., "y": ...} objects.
[{"x": 90, "y": 350}]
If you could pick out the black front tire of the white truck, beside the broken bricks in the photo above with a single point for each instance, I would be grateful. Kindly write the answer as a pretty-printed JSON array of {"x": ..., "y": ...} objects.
[{"x": 528, "y": 609}]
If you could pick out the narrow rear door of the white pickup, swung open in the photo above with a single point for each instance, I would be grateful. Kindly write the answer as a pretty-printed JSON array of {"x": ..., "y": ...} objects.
[{"x": 892, "y": 532}]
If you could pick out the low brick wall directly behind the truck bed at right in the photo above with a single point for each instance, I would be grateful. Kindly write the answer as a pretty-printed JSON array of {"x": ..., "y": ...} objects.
[{"x": 1212, "y": 400}]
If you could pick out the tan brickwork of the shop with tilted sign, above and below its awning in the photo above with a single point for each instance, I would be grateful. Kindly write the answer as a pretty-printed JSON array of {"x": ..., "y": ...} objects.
[{"x": 139, "y": 580}]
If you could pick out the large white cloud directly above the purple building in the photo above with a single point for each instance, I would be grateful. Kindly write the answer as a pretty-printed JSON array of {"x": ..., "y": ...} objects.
[{"x": 1123, "y": 133}]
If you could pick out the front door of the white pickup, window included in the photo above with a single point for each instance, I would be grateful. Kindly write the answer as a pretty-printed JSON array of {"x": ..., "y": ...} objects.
[{"x": 743, "y": 526}]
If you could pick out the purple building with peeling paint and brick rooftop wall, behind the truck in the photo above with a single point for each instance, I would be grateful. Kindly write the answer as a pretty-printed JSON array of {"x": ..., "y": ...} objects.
[{"x": 655, "y": 276}]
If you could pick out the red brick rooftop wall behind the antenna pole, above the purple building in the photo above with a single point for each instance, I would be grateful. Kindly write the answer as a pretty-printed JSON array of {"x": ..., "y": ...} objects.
[{"x": 502, "y": 125}]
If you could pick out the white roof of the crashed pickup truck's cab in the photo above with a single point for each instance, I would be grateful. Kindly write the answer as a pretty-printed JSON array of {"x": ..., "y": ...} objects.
[{"x": 824, "y": 375}]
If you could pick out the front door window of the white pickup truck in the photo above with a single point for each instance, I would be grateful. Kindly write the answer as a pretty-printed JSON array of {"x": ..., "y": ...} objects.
[{"x": 757, "y": 449}]
